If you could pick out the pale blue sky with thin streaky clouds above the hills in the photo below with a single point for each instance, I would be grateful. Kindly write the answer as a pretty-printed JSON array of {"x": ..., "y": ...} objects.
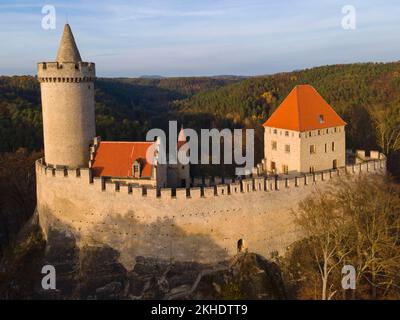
[{"x": 200, "y": 37}]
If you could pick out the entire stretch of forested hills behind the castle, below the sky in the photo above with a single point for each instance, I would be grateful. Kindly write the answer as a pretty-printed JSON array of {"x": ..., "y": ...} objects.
[{"x": 367, "y": 96}]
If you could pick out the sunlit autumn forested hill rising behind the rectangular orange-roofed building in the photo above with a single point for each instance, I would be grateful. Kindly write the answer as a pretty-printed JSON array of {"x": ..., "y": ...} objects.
[{"x": 356, "y": 91}]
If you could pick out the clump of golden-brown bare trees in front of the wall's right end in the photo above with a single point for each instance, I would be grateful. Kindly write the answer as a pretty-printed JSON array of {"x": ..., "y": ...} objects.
[{"x": 357, "y": 222}]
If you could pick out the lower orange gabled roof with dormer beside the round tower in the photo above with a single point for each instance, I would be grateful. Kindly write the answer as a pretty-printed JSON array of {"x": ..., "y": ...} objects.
[{"x": 116, "y": 158}]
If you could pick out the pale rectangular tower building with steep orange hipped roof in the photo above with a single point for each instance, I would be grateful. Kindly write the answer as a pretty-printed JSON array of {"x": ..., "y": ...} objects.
[{"x": 304, "y": 134}]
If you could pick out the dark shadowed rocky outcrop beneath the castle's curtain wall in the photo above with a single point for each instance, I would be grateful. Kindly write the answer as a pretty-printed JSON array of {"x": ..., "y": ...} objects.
[{"x": 94, "y": 272}]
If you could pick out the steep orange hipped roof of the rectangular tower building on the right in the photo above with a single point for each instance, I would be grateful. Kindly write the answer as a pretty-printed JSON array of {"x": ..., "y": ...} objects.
[{"x": 301, "y": 111}]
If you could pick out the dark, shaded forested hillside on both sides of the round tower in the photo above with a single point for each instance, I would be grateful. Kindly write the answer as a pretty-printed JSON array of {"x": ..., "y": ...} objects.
[{"x": 126, "y": 108}]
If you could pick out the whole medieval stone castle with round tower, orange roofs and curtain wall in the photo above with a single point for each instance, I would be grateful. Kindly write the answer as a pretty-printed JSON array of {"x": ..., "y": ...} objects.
[{"x": 105, "y": 193}]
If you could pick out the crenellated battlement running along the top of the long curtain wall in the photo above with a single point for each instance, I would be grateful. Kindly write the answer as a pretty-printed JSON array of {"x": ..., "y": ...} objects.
[{"x": 207, "y": 188}]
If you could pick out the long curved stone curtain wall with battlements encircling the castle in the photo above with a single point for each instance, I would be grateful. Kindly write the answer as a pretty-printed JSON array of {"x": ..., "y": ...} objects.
[{"x": 200, "y": 224}]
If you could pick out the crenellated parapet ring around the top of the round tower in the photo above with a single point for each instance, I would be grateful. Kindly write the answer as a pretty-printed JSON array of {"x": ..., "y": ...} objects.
[{"x": 66, "y": 72}]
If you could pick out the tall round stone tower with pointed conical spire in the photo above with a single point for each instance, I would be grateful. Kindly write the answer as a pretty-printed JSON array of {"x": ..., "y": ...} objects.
[{"x": 67, "y": 92}]
